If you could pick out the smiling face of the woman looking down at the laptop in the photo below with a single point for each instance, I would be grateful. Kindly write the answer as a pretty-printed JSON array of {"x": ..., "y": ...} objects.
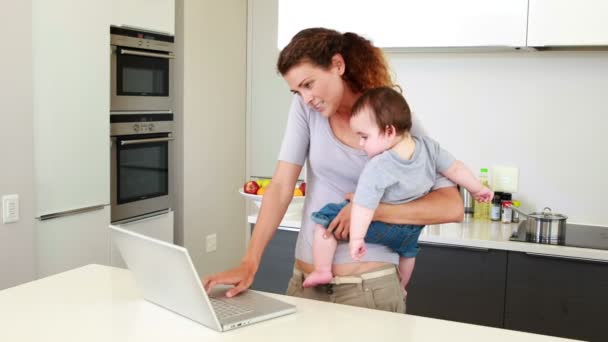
[{"x": 321, "y": 89}]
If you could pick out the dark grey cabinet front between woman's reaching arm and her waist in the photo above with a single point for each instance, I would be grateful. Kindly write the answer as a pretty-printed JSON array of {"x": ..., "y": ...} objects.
[{"x": 276, "y": 267}]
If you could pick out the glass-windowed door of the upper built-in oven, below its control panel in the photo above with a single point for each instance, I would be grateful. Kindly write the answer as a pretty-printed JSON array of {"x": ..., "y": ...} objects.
[{"x": 141, "y": 79}]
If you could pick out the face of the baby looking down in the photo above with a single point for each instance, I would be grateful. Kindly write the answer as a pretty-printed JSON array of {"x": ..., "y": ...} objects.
[{"x": 371, "y": 139}]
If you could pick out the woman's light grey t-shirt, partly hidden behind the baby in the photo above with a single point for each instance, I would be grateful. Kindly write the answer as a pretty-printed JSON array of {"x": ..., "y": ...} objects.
[{"x": 332, "y": 170}]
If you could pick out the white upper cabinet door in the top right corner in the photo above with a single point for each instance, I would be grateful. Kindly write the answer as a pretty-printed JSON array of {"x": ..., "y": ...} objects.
[{"x": 567, "y": 22}]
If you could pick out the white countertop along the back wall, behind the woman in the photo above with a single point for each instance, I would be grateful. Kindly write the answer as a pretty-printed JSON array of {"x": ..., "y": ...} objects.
[{"x": 480, "y": 234}]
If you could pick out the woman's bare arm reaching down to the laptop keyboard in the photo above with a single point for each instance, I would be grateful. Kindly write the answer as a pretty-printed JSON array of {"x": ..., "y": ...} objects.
[{"x": 274, "y": 205}]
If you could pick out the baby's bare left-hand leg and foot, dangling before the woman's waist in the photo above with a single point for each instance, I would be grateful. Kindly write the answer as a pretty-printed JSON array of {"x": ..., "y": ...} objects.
[{"x": 323, "y": 250}]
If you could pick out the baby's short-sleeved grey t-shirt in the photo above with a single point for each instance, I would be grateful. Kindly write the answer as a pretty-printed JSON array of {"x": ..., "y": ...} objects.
[{"x": 390, "y": 179}]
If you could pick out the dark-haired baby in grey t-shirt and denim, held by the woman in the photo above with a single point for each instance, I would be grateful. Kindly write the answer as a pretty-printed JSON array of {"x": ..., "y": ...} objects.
[{"x": 401, "y": 168}]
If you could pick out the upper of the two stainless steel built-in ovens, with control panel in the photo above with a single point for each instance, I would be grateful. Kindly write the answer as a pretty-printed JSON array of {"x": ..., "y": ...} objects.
[{"x": 141, "y": 70}]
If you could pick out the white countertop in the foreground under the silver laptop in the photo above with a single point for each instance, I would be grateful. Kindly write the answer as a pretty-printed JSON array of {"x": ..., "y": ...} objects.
[{"x": 100, "y": 303}]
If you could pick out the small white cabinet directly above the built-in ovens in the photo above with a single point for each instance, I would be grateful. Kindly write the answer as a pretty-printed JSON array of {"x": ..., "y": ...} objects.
[{"x": 153, "y": 15}]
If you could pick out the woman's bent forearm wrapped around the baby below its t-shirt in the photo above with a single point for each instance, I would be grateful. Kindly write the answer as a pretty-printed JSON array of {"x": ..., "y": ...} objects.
[{"x": 439, "y": 206}]
